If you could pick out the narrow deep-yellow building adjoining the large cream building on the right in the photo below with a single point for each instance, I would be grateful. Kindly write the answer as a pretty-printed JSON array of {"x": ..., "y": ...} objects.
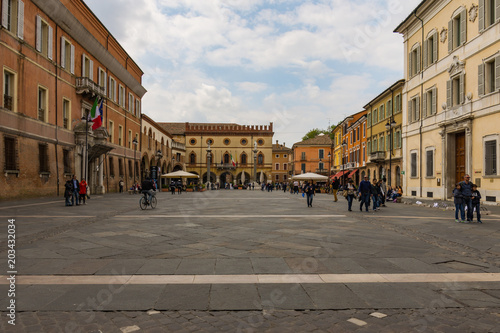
[{"x": 384, "y": 120}]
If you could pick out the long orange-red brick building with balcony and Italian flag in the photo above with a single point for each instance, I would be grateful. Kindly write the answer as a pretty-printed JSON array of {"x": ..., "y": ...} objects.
[{"x": 57, "y": 58}]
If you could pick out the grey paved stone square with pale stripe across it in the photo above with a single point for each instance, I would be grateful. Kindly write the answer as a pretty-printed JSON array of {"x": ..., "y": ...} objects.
[{"x": 248, "y": 261}]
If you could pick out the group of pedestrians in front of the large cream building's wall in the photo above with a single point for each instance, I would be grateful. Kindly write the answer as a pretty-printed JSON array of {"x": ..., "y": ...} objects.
[{"x": 467, "y": 199}]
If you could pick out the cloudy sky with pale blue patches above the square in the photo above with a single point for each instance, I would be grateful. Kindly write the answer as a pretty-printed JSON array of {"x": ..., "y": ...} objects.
[{"x": 301, "y": 64}]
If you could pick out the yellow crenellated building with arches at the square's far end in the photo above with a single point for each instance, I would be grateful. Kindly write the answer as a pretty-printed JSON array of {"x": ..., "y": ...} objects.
[{"x": 237, "y": 152}]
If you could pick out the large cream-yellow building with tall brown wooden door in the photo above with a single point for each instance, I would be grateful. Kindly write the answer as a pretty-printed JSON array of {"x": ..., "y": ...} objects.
[{"x": 451, "y": 114}]
